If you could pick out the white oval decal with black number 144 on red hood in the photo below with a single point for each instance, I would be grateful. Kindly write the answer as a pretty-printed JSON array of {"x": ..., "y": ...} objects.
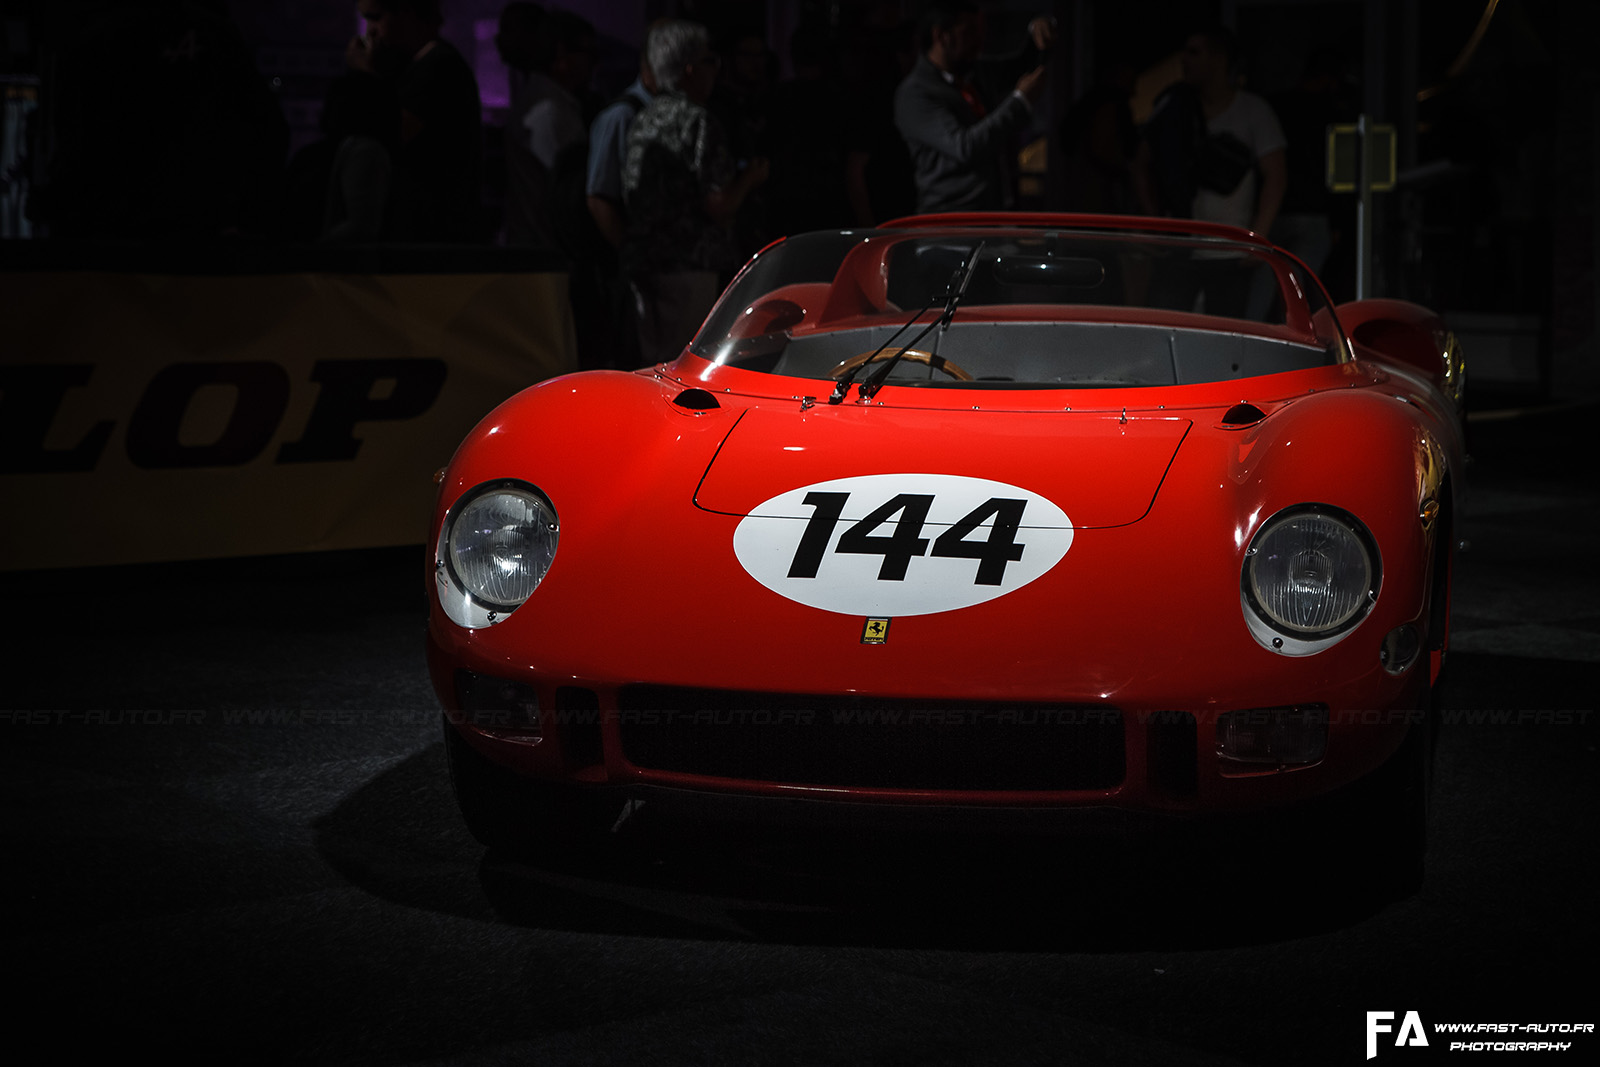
[{"x": 902, "y": 543}]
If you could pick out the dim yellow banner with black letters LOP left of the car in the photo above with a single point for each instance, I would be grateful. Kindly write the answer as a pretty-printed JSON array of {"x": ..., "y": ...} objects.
[{"x": 153, "y": 418}]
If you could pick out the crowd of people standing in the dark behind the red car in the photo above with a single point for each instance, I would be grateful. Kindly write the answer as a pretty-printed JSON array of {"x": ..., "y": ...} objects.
[{"x": 655, "y": 196}]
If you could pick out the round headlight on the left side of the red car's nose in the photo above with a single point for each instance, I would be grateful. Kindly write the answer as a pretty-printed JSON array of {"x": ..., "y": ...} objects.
[{"x": 495, "y": 548}]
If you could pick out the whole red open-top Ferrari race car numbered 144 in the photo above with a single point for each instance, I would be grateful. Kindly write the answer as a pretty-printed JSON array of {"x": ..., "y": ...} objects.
[{"x": 964, "y": 518}]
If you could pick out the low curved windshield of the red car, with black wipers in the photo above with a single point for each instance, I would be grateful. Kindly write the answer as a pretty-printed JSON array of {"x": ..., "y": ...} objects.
[{"x": 1041, "y": 310}]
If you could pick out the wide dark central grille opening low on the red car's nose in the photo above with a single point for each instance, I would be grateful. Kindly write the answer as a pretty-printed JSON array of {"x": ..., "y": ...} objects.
[{"x": 871, "y": 743}]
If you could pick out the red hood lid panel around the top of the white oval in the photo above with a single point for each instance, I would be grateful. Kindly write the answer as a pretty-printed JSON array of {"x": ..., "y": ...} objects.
[{"x": 1097, "y": 470}]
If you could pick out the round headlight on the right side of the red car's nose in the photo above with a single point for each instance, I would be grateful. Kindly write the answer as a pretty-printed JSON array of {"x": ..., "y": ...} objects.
[{"x": 1311, "y": 575}]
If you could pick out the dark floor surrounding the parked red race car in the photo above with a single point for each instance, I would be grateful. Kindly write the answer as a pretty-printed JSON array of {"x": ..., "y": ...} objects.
[{"x": 230, "y": 837}]
